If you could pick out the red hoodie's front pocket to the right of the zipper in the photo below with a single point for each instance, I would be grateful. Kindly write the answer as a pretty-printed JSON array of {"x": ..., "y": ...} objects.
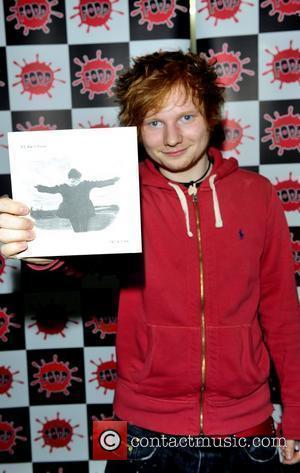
[{"x": 243, "y": 362}]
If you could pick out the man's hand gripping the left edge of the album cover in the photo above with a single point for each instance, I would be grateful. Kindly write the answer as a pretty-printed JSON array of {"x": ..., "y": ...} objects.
[{"x": 15, "y": 229}]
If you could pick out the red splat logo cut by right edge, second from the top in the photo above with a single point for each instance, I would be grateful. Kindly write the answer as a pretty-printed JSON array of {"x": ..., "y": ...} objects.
[{"x": 285, "y": 65}]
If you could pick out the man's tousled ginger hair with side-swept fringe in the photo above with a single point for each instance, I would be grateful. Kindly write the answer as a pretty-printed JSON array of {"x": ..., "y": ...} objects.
[{"x": 146, "y": 85}]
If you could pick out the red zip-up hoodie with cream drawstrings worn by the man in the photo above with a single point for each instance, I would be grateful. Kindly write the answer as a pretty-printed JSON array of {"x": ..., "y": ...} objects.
[{"x": 218, "y": 296}]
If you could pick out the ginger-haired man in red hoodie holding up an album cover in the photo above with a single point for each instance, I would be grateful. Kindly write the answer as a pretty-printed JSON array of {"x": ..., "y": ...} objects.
[{"x": 216, "y": 293}]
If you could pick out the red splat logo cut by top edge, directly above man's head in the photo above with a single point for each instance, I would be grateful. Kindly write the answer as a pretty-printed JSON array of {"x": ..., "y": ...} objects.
[{"x": 154, "y": 12}]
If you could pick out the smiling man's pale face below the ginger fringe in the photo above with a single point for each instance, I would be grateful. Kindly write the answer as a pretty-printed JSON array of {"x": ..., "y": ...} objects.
[{"x": 176, "y": 137}]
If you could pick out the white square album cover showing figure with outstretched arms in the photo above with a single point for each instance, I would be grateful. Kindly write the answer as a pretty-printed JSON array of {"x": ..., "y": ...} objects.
[{"x": 81, "y": 187}]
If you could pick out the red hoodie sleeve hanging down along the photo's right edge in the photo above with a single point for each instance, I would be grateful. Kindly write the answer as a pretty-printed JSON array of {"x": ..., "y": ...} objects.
[{"x": 280, "y": 315}]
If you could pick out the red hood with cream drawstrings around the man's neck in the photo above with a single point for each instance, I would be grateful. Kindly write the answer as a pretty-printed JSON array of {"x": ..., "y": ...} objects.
[{"x": 150, "y": 176}]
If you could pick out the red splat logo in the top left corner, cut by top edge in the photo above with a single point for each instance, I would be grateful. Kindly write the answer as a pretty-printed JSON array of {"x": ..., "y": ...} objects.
[{"x": 33, "y": 15}]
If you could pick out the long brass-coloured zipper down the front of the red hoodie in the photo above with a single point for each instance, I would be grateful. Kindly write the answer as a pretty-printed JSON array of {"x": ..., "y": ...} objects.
[{"x": 203, "y": 341}]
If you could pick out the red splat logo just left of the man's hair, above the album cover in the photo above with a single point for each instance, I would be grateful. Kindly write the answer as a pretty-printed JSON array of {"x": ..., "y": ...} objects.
[{"x": 97, "y": 76}]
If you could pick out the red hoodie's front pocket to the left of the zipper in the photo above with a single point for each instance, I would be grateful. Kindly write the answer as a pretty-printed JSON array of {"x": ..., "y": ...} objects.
[{"x": 172, "y": 364}]
